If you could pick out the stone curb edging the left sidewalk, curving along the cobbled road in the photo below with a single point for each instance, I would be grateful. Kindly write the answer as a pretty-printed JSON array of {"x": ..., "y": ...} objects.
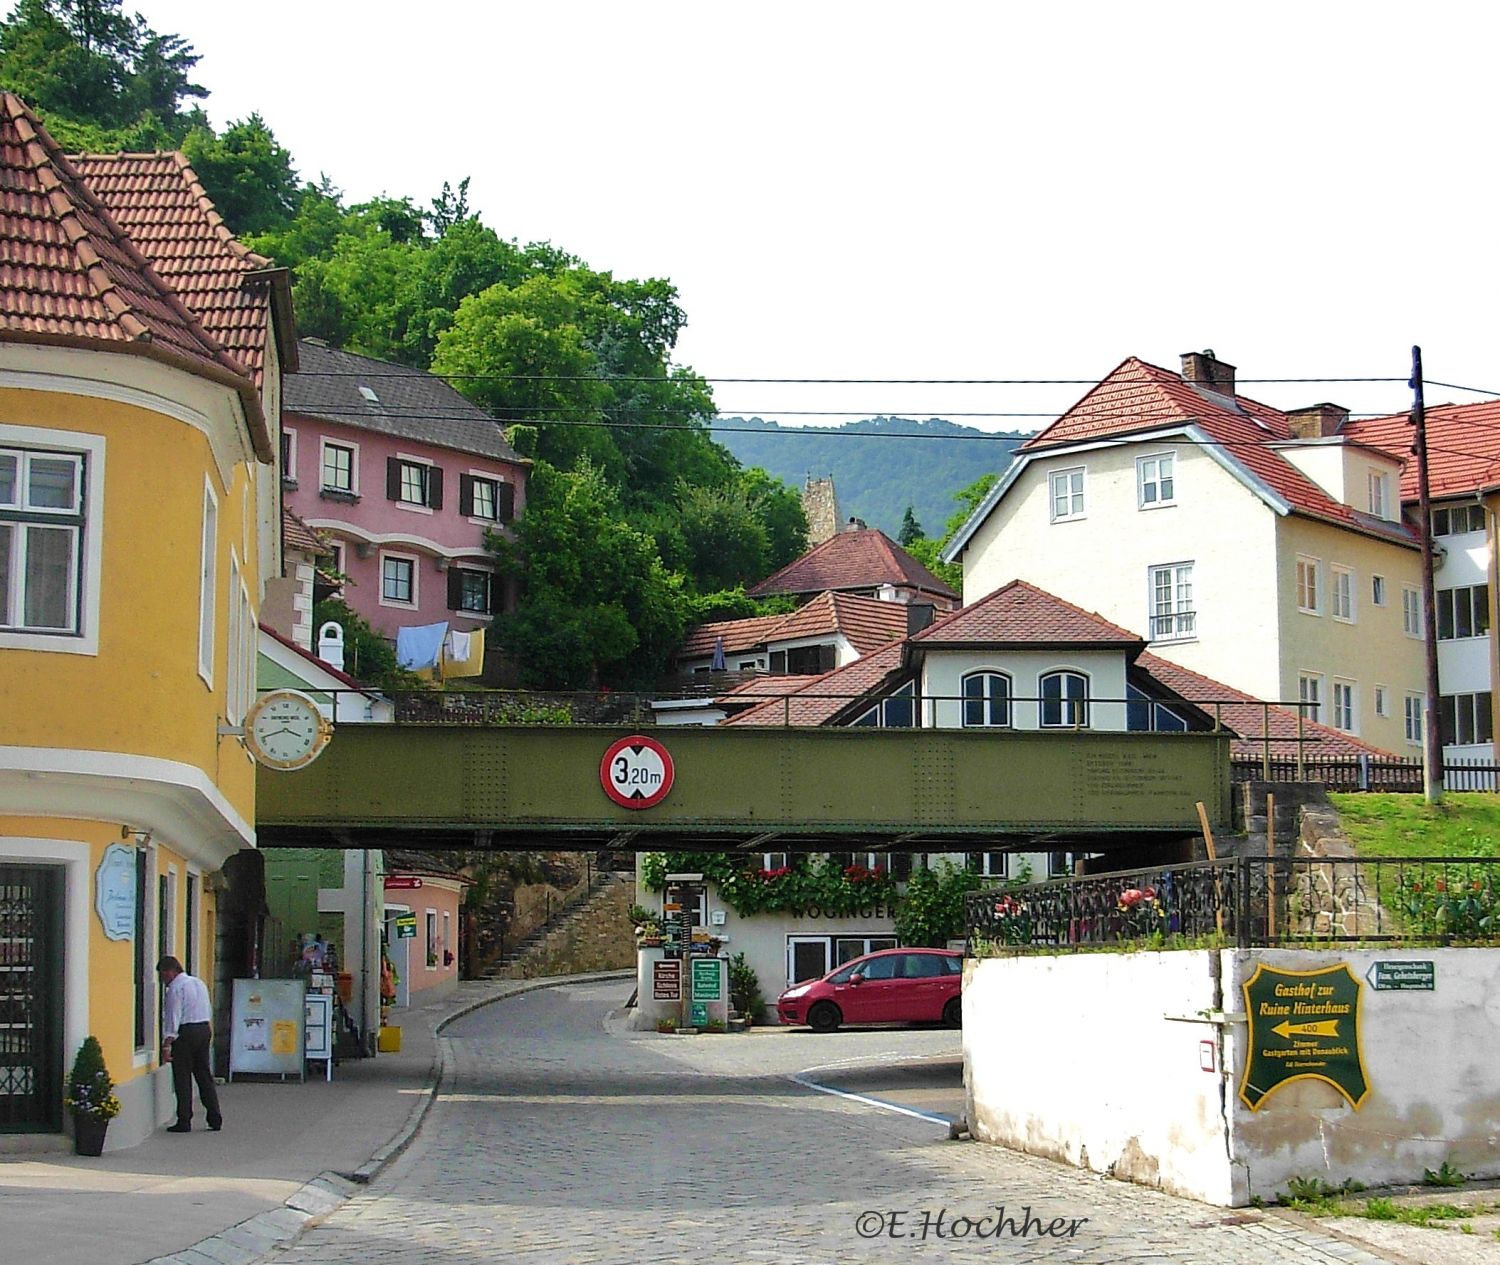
[{"x": 257, "y": 1239}]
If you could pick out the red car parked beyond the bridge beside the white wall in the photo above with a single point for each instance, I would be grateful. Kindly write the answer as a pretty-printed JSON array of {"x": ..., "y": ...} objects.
[{"x": 892, "y": 987}]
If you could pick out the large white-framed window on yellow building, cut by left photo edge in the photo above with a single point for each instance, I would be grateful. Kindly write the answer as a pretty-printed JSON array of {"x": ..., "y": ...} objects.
[{"x": 41, "y": 541}]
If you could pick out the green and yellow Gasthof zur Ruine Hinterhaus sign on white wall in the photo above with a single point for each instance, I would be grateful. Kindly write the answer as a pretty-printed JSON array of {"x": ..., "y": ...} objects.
[{"x": 1303, "y": 1026}]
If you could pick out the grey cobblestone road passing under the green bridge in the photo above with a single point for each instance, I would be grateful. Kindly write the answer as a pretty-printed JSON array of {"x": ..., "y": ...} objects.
[{"x": 559, "y": 1141}]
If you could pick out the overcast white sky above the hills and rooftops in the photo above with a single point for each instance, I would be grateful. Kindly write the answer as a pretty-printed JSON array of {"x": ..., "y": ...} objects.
[{"x": 938, "y": 191}]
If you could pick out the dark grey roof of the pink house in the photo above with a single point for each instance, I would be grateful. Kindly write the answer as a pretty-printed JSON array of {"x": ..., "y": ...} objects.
[{"x": 413, "y": 406}]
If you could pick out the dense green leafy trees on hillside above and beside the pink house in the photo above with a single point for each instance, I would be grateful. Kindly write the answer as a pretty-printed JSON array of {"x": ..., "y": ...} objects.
[{"x": 637, "y": 520}]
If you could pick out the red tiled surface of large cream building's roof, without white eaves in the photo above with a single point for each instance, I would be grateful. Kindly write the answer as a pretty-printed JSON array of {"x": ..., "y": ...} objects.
[{"x": 1138, "y": 397}]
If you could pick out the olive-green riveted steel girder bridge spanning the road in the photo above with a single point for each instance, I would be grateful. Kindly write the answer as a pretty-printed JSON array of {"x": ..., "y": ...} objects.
[{"x": 755, "y": 789}]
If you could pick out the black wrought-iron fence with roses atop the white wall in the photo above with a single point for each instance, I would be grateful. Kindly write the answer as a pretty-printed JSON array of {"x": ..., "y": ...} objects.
[{"x": 1247, "y": 903}]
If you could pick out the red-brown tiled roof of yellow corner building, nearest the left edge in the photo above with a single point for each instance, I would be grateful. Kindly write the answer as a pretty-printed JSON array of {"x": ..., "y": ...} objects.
[{"x": 71, "y": 275}]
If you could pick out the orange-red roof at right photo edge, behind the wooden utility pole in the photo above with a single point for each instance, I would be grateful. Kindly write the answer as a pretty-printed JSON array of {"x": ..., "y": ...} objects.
[{"x": 1463, "y": 446}]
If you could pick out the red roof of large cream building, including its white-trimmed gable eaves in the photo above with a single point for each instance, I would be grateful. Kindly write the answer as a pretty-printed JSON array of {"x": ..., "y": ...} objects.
[{"x": 1138, "y": 400}]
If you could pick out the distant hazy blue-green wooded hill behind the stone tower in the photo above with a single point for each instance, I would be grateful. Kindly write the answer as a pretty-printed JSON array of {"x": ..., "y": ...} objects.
[{"x": 877, "y": 476}]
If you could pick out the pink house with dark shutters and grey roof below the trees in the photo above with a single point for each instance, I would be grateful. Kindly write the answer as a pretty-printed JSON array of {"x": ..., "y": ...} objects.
[{"x": 406, "y": 478}]
